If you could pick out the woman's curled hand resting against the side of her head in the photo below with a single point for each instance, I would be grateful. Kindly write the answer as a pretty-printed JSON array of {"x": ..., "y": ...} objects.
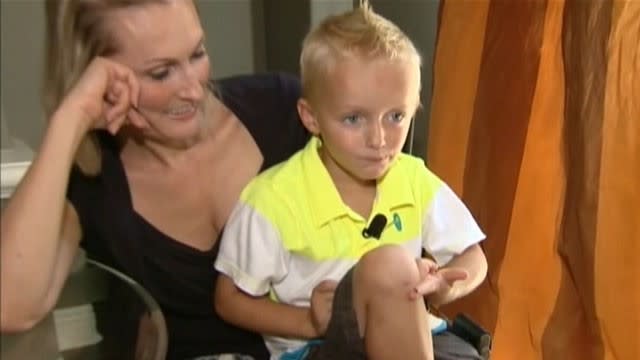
[{"x": 105, "y": 96}]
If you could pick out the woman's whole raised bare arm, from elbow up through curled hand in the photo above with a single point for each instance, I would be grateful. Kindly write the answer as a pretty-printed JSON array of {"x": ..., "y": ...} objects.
[{"x": 40, "y": 230}]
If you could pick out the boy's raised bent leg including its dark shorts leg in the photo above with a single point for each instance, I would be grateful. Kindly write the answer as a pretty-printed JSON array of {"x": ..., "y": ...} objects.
[{"x": 373, "y": 317}]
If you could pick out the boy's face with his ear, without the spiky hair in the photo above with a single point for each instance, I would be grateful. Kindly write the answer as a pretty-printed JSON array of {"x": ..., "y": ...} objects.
[{"x": 362, "y": 112}]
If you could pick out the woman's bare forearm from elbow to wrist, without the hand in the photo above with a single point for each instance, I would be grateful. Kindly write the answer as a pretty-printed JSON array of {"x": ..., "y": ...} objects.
[{"x": 40, "y": 231}]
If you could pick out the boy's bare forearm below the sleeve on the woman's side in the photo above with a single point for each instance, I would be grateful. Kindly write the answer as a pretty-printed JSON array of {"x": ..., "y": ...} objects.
[{"x": 260, "y": 314}]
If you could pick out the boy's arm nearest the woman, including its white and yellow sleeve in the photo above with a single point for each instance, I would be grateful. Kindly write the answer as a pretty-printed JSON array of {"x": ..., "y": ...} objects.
[{"x": 251, "y": 258}]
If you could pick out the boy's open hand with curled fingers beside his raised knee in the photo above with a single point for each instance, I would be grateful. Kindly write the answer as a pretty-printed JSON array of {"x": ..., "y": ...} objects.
[{"x": 435, "y": 283}]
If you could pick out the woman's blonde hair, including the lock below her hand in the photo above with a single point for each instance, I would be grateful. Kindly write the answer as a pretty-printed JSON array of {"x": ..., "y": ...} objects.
[{"x": 76, "y": 33}]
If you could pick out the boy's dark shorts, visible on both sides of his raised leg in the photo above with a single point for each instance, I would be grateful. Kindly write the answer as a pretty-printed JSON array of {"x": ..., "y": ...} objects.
[{"x": 342, "y": 339}]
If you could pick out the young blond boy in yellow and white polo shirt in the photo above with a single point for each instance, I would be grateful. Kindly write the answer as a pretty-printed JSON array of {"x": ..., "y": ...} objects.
[{"x": 319, "y": 218}]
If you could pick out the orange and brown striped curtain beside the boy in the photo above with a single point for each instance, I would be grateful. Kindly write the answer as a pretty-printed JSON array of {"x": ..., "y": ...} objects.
[{"x": 535, "y": 123}]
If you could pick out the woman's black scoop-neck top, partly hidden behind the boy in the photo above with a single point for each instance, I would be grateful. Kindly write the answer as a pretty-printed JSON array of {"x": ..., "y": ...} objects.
[{"x": 181, "y": 278}]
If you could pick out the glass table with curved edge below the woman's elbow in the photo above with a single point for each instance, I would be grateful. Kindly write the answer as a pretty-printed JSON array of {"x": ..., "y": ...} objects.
[{"x": 101, "y": 314}]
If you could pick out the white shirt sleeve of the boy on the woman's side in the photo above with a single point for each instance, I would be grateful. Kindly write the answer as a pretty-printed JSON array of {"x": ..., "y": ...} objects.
[{"x": 251, "y": 250}]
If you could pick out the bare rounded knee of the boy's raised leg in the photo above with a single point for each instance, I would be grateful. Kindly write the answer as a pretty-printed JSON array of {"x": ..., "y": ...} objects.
[{"x": 387, "y": 268}]
